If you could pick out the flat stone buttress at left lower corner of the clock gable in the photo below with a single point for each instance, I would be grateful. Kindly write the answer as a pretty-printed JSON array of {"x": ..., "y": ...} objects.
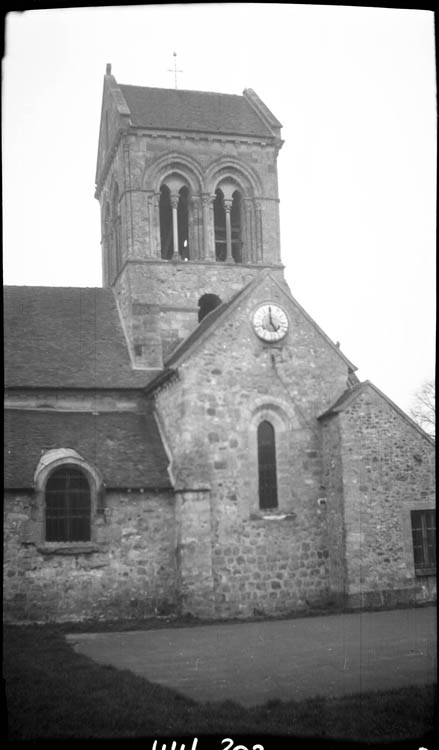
[{"x": 194, "y": 552}]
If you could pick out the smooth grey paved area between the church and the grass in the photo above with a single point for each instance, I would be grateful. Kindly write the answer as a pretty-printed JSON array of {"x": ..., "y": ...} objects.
[{"x": 251, "y": 663}]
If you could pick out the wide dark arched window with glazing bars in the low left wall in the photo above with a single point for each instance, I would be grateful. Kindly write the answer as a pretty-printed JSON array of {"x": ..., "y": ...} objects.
[{"x": 68, "y": 506}]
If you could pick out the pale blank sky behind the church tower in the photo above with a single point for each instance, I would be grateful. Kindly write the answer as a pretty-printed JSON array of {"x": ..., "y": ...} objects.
[{"x": 355, "y": 91}]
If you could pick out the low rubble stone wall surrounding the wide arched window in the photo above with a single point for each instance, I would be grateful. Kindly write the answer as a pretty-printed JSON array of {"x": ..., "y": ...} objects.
[{"x": 130, "y": 573}]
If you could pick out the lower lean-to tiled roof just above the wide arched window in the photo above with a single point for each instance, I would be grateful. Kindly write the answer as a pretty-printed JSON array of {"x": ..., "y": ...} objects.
[{"x": 125, "y": 447}]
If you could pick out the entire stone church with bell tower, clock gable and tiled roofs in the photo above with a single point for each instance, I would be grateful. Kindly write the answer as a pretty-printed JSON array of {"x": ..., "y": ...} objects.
[{"x": 186, "y": 439}]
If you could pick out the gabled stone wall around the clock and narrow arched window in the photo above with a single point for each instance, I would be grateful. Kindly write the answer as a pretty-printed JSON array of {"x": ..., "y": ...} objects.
[{"x": 262, "y": 561}]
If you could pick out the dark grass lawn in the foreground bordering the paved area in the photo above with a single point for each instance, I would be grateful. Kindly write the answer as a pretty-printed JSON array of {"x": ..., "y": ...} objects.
[{"x": 52, "y": 692}]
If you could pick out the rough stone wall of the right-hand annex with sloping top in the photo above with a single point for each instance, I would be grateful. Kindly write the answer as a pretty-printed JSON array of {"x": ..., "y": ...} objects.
[{"x": 388, "y": 470}]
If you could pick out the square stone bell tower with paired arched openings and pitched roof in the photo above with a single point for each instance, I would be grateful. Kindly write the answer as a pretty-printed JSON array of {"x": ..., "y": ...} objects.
[{"x": 187, "y": 183}]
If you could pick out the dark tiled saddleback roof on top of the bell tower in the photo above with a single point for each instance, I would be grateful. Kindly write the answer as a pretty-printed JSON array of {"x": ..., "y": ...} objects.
[{"x": 176, "y": 109}]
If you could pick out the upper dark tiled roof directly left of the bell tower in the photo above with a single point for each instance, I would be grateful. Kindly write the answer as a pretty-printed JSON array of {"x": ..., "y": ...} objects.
[{"x": 63, "y": 337}]
